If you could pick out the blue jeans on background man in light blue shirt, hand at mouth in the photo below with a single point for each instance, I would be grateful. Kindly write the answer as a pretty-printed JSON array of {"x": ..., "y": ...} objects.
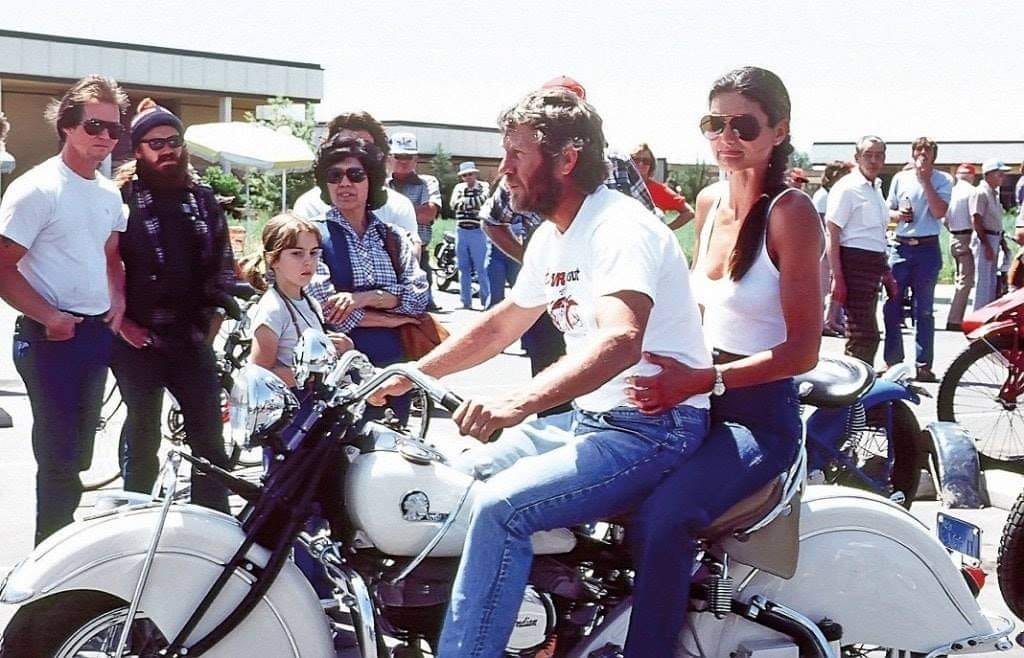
[{"x": 918, "y": 269}]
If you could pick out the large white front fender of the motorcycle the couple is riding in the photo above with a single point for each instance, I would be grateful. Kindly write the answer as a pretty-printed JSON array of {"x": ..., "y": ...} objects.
[{"x": 106, "y": 555}]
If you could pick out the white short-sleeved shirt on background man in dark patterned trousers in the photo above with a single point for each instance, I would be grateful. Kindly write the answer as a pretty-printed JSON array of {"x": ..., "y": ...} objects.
[{"x": 857, "y": 206}]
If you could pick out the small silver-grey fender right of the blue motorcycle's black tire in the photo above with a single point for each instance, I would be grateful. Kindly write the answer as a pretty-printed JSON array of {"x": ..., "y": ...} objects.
[{"x": 955, "y": 463}]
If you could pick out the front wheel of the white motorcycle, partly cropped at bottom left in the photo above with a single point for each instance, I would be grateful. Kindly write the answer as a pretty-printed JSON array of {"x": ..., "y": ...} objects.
[{"x": 78, "y": 625}]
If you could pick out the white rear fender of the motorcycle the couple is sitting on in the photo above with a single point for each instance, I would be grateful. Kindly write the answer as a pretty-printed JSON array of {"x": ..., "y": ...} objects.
[{"x": 865, "y": 563}]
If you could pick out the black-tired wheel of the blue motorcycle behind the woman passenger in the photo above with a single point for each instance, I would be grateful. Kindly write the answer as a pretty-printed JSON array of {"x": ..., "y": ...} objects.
[{"x": 871, "y": 446}]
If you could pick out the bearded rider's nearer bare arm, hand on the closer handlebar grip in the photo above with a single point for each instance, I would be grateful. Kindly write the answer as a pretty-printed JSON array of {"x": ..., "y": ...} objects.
[{"x": 616, "y": 345}]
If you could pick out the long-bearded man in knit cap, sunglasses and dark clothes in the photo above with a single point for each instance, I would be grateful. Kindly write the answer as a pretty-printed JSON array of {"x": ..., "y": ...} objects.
[{"x": 178, "y": 264}]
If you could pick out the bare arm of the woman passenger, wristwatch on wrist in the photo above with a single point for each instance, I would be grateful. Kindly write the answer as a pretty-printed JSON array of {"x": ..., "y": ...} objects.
[{"x": 795, "y": 237}]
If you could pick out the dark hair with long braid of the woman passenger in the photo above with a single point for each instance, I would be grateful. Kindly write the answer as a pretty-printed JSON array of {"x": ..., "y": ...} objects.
[{"x": 764, "y": 89}]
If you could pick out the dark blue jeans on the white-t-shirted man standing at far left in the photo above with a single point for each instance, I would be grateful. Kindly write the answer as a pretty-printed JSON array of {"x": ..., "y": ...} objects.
[{"x": 65, "y": 381}]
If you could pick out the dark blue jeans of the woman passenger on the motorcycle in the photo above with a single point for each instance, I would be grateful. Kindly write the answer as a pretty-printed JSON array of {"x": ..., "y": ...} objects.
[{"x": 754, "y": 437}]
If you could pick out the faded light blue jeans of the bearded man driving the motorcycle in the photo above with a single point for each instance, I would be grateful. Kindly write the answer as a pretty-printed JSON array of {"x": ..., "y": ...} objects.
[{"x": 553, "y": 473}]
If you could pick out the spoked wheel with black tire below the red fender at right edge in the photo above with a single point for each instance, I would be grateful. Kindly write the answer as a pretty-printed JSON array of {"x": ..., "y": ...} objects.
[{"x": 967, "y": 397}]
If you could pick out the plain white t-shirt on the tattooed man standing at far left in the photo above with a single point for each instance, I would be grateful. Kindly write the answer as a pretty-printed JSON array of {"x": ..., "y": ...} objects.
[{"x": 65, "y": 222}]
